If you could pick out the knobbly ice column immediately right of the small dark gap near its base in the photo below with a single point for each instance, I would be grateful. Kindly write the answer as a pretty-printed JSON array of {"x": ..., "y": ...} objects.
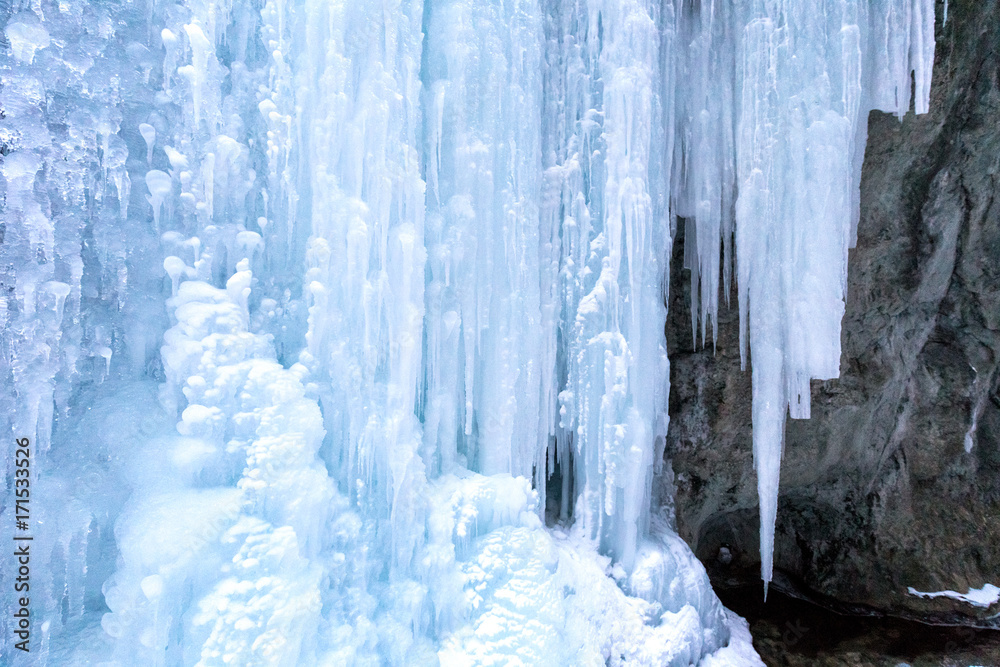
[{"x": 609, "y": 177}]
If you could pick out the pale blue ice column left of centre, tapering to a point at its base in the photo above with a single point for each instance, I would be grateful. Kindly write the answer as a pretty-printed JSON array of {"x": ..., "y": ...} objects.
[{"x": 355, "y": 110}]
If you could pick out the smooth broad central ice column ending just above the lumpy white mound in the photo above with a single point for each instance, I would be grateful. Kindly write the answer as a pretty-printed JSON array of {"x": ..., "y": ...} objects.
[{"x": 489, "y": 350}]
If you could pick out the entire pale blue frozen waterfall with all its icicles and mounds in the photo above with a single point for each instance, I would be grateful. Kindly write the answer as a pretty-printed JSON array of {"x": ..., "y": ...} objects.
[{"x": 337, "y": 327}]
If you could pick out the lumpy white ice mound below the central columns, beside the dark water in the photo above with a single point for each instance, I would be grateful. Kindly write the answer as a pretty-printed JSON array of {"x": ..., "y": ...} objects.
[{"x": 541, "y": 598}]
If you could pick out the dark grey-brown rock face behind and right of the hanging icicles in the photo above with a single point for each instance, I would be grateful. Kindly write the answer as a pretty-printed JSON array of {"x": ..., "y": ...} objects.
[{"x": 895, "y": 480}]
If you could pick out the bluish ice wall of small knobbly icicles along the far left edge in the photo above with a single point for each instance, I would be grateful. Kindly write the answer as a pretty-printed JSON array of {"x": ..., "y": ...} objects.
[{"x": 70, "y": 288}]
